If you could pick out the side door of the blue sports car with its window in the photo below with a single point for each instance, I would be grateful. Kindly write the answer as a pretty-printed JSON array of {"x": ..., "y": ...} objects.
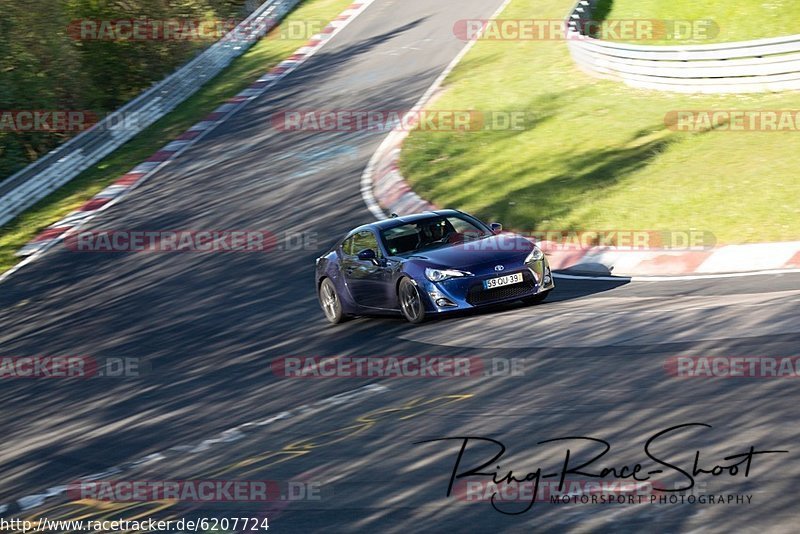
[{"x": 370, "y": 285}]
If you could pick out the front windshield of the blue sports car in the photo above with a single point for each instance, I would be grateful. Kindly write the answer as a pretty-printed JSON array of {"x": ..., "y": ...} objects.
[{"x": 431, "y": 233}]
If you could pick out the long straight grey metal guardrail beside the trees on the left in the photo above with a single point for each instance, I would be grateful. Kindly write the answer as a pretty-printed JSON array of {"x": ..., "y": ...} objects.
[{"x": 53, "y": 170}]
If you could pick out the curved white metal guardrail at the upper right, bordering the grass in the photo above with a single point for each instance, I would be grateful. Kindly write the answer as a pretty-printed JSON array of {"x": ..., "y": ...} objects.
[{"x": 761, "y": 65}]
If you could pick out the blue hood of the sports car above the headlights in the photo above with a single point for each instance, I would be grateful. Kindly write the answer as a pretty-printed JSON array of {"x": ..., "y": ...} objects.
[{"x": 495, "y": 250}]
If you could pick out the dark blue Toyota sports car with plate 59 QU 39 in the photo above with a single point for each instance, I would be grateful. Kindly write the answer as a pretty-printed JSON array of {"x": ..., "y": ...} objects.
[{"x": 429, "y": 264}]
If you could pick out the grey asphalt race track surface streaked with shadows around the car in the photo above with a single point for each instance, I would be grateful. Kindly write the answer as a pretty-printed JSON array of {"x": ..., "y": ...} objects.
[{"x": 208, "y": 325}]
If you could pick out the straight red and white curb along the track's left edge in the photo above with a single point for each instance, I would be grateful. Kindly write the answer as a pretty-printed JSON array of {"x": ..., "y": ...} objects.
[{"x": 142, "y": 172}]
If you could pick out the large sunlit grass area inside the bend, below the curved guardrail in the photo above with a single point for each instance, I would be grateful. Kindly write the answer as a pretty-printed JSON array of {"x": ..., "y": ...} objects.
[{"x": 597, "y": 155}]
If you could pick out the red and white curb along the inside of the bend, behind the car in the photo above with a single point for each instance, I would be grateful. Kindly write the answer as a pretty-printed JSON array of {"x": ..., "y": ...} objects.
[{"x": 385, "y": 190}]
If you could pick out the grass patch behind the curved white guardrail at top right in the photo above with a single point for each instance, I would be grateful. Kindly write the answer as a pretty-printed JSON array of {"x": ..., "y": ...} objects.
[{"x": 736, "y": 20}]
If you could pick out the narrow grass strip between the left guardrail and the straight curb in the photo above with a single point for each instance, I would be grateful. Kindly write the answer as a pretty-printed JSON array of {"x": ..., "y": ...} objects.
[{"x": 246, "y": 69}]
